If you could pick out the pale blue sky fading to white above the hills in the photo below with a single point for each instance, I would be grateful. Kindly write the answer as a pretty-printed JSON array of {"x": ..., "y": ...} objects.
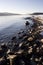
[{"x": 21, "y": 6}]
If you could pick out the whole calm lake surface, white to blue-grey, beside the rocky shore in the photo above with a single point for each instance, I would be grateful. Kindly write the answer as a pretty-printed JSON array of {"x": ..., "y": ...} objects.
[{"x": 9, "y": 25}]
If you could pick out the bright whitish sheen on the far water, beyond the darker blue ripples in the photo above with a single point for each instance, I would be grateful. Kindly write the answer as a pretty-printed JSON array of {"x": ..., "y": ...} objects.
[{"x": 6, "y": 21}]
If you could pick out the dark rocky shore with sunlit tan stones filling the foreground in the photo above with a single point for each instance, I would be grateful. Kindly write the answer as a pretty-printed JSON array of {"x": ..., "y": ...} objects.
[{"x": 26, "y": 48}]
